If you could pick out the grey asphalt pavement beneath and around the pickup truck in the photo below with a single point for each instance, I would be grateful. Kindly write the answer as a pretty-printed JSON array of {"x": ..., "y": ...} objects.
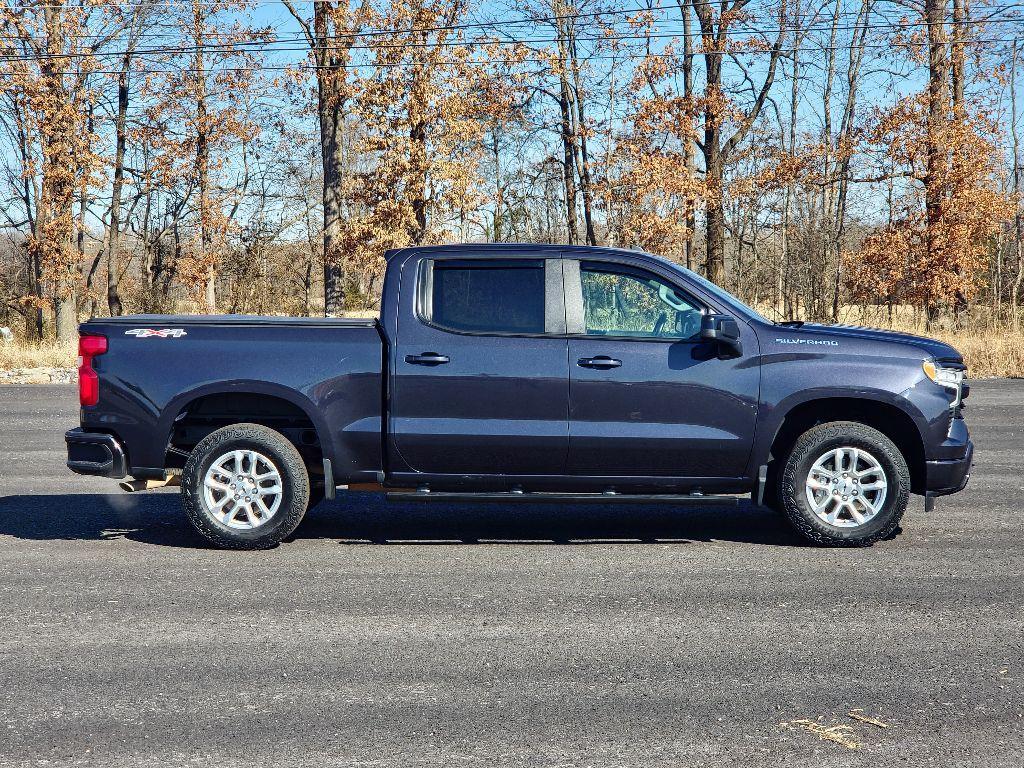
[{"x": 491, "y": 636}]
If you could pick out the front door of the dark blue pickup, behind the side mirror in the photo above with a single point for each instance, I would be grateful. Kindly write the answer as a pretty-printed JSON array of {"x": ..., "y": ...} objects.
[{"x": 648, "y": 398}]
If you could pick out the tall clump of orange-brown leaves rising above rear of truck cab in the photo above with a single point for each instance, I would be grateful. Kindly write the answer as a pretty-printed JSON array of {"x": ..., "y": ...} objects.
[{"x": 423, "y": 106}]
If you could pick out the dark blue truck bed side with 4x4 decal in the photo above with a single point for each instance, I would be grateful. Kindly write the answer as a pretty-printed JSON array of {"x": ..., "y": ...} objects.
[{"x": 167, "y": 376}]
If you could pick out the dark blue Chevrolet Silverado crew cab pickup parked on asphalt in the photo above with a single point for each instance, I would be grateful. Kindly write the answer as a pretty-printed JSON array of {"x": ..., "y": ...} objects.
[{"x": 525, "y": 372}]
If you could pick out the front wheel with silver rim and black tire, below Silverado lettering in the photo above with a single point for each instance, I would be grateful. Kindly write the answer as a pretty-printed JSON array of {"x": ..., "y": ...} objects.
[{"x": 841, "y": 502}]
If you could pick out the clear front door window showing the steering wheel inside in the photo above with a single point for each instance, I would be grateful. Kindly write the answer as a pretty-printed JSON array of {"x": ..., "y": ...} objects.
[{"x": 637, "y": 305}]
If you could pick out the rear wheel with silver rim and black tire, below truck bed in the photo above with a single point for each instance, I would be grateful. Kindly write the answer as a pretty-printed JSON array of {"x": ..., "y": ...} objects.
[{"x": 272, "y": 474}]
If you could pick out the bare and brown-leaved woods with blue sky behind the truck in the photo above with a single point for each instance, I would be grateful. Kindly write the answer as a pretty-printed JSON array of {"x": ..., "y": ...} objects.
[{"x": 841, "y": 161}]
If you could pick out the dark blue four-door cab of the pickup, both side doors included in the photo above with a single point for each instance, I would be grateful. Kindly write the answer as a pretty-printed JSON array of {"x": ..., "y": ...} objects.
[{"x": 567, "y": 370}]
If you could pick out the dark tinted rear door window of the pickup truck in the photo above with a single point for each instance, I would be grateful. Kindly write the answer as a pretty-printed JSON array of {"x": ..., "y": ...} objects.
[{"x": 492, "y": 296}]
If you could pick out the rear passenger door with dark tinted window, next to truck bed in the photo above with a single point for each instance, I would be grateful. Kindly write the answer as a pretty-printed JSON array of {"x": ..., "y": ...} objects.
[{"x": 481, "y": 381}]
